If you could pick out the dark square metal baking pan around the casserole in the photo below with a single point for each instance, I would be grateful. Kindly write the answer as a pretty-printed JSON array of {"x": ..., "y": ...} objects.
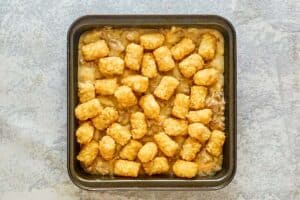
[{"x": 220, "y": 179}]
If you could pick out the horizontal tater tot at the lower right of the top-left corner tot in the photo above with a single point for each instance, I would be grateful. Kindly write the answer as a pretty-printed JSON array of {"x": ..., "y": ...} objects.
[{"x": 110, "y": 66}]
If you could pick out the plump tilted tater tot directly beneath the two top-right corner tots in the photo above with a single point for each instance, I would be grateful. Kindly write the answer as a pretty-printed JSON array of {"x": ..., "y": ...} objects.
[{"x": 189, "y": 66}]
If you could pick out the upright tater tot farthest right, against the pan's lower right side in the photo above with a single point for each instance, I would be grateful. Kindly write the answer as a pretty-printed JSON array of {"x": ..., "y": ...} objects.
[{"x": 215, "y": 143}]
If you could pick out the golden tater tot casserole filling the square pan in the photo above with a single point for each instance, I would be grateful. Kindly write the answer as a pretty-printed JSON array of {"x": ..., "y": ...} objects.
[{"x": 150, "y": 103}]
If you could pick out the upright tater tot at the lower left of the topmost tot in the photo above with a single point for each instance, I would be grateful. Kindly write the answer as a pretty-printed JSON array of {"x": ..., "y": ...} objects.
[{"x": 134, "y": 55}]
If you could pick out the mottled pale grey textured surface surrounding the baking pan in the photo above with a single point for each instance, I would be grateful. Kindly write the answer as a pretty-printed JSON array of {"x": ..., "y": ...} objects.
[{"x": 33, "y": 96}]
